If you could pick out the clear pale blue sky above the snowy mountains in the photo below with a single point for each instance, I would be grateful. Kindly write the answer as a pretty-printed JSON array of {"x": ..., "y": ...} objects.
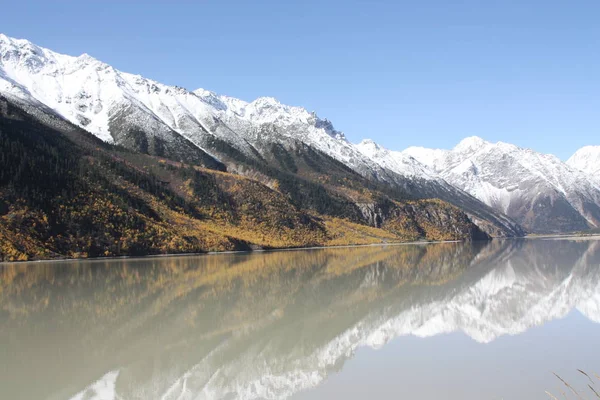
[{"x": 403, "y": 73}]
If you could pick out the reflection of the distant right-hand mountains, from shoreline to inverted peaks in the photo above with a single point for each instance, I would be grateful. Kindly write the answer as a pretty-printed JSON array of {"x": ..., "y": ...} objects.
[{"x": 540, "y": 281}]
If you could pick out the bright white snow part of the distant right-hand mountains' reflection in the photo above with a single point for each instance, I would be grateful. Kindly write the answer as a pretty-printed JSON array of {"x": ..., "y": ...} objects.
[{"x": 507, "y": 301}]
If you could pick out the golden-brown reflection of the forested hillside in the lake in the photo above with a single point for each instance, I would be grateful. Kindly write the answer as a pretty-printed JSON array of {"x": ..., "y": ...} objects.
[{"x": 123, "y": 306}]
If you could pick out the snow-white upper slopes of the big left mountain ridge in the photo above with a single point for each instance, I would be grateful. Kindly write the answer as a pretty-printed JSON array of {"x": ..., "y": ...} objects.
[{"x": 147, "y": 115}]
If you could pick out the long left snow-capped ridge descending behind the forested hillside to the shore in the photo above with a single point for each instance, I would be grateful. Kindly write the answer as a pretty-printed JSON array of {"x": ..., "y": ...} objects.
[{"x": 203, "y": 127}]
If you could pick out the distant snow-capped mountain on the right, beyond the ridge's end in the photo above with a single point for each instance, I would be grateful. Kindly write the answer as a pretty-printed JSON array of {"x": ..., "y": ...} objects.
[{"x": 537, "y": 190}]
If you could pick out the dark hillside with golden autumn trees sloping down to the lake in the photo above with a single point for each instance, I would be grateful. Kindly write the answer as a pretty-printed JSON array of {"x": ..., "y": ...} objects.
[{"x": 65, "y": 193}]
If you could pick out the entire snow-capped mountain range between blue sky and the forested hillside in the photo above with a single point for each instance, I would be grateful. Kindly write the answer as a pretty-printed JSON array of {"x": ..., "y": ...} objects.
[{"x": 505, "y": 190}]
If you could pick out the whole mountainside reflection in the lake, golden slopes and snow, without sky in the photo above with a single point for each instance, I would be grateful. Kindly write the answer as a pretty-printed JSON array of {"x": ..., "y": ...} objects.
[{"x": 268, "y": 325}]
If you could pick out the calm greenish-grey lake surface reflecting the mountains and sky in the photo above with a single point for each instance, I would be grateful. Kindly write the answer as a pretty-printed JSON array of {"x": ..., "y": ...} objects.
[{"x": 442, "y": 321}]
